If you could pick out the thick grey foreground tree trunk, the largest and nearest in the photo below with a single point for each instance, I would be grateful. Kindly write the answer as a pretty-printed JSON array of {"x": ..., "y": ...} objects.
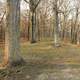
[{"x": 12, "y": 32}]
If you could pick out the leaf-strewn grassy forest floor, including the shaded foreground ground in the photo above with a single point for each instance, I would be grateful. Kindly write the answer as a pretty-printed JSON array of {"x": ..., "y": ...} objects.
[{"x": 46, "y": 62}]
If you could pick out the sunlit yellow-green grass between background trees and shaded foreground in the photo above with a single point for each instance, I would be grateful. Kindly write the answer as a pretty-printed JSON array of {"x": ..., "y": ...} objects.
[{"x": 45, "y": 51}]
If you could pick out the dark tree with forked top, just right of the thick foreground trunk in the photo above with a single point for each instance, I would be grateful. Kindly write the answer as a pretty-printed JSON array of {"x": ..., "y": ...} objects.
[{"x": 33, "y": 5}]
